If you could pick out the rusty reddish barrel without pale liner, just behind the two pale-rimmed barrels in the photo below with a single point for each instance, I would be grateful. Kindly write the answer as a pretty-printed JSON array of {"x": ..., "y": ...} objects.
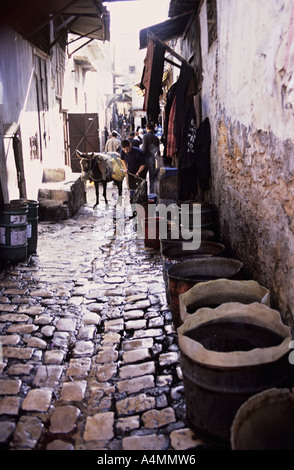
[{"x": 184, "y": 275}]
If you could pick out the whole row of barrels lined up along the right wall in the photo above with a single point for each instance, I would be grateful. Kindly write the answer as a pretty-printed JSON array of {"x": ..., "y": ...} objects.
[{"x": 234, "y": 347}]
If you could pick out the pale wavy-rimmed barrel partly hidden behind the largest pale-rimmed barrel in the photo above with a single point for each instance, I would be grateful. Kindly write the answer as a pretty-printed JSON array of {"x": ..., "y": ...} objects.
[{"x": 214, "y": 293}]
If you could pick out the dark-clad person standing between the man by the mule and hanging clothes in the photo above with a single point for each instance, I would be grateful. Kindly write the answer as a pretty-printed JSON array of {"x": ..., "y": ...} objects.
[{"x": 150, "y": 148}]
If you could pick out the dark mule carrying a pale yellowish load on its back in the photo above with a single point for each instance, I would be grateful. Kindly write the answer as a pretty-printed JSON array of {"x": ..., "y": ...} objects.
[{"x": 102, "y": 168}]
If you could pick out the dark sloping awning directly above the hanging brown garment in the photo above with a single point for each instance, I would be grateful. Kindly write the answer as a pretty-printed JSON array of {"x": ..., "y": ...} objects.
[{"x": 166, "y": 30}]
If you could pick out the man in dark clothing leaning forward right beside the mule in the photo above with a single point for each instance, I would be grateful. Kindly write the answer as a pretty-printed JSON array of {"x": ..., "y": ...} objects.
[{"x": 134, "y": 164}]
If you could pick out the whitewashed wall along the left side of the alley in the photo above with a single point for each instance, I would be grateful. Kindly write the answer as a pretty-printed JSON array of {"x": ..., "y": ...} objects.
[{"x": 19, "y": 105}]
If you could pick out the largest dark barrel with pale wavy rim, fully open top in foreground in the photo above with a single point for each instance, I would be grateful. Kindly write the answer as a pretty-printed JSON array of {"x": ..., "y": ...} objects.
[{"x": 229, "y": 354}]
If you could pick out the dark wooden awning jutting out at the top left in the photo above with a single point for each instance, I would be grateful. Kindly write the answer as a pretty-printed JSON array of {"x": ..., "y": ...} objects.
[{"x": 85, "y": 18}]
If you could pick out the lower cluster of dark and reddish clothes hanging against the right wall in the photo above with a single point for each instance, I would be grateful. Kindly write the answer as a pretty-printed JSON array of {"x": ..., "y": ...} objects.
[{"x": 188, "y": 143}]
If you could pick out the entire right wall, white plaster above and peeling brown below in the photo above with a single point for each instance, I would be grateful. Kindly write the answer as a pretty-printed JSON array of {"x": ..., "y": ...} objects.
[{"x": 248, "y": 95}]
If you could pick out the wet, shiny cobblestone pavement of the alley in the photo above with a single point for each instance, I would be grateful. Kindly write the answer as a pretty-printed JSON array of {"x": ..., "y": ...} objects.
[{"x": 89, "y": 354}]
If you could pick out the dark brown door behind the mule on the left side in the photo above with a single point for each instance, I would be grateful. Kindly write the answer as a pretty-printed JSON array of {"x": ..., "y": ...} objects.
[{"x": 83, "y": 136}]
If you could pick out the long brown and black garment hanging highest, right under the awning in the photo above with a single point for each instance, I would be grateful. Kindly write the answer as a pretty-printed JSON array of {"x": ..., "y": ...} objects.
[{"x": 152, "y": 79}]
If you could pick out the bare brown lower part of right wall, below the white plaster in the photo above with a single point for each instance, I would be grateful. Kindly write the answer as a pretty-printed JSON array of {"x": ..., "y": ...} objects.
[{"x": 253, "y": 189}]
